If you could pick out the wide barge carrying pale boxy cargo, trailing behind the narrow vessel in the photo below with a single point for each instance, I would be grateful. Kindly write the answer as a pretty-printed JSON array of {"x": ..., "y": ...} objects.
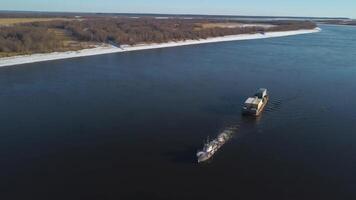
[{"x": 254, "y": 105}]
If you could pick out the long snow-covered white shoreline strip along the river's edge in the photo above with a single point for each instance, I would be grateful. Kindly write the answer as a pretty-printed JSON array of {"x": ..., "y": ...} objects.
[{"x": 108, "y": 49}]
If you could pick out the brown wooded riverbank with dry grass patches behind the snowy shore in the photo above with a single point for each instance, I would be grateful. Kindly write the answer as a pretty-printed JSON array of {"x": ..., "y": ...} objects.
[{"x": 57, "y": 35}]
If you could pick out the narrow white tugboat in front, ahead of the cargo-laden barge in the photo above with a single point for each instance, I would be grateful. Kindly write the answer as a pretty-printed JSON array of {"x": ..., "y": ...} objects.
[{"x": 211, "y": 147}]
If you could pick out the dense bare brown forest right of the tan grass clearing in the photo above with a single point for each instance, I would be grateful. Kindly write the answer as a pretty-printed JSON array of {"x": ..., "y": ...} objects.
[{"x": 148, "y": 30}]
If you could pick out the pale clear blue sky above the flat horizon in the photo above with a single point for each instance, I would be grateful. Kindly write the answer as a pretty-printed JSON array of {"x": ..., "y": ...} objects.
[{"x": 329, "y": 8}]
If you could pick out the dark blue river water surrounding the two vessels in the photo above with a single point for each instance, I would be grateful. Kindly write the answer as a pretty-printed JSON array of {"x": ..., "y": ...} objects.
[{"x": 127, "y": 126}]
